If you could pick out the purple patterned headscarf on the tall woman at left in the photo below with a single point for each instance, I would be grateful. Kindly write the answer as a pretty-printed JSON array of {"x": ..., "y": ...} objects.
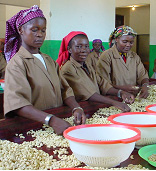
[{"x": 12, "y": 37}]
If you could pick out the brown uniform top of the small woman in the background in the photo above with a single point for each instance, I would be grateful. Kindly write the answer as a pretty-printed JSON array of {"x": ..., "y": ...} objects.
[{"x": 93, "y": 58}]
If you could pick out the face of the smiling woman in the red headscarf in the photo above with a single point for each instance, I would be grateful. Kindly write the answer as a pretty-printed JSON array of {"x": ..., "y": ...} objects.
[{"x": 79, "y": 49}]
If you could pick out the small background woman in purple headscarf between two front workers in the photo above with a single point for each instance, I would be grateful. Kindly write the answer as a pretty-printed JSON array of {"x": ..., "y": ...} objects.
[{"x": 93, "y": 57}]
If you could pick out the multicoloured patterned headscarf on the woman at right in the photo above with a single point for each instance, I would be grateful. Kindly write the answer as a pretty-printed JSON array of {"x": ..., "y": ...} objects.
[{"x": 120, "y": 31}]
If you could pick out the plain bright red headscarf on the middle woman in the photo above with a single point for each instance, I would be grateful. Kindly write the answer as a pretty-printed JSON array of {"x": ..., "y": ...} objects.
[{"x": 63, "y": 52}]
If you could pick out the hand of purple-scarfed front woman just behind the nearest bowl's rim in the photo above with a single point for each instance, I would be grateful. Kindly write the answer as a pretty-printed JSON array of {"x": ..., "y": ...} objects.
[{"x": 79, "y": 117}]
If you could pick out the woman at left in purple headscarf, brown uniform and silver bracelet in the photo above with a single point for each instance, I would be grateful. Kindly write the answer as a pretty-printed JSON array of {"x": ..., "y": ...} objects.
[{"x": 33, "y": 81}]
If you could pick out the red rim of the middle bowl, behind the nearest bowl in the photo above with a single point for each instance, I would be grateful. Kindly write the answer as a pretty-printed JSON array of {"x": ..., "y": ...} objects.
[{"x": 110, "y": 118}]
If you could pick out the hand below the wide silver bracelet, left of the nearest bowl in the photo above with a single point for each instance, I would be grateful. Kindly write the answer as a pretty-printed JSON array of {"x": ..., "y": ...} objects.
[{"x": 59, "y": 125}]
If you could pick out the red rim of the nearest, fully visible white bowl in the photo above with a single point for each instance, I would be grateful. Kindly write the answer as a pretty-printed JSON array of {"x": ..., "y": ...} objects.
[{"x": 125, "y": 141}]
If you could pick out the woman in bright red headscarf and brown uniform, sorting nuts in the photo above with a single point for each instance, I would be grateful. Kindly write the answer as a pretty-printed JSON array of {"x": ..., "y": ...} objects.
[{"x": 82, "y": 77}]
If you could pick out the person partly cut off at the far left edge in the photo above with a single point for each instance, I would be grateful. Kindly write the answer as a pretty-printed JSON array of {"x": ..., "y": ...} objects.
[{"x": 2, "y": 59}]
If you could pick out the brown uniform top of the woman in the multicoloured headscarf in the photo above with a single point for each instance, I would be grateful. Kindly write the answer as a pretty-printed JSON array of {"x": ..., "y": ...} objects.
[{"x": 112, "y": 67}]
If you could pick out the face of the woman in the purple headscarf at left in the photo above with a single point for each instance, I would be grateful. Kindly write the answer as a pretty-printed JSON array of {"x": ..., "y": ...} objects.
[{"x": 33, "y": 34}]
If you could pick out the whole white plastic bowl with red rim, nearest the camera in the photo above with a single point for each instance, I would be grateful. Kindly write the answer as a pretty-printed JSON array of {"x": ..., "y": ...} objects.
[{"x": 102, "y": 145}]
